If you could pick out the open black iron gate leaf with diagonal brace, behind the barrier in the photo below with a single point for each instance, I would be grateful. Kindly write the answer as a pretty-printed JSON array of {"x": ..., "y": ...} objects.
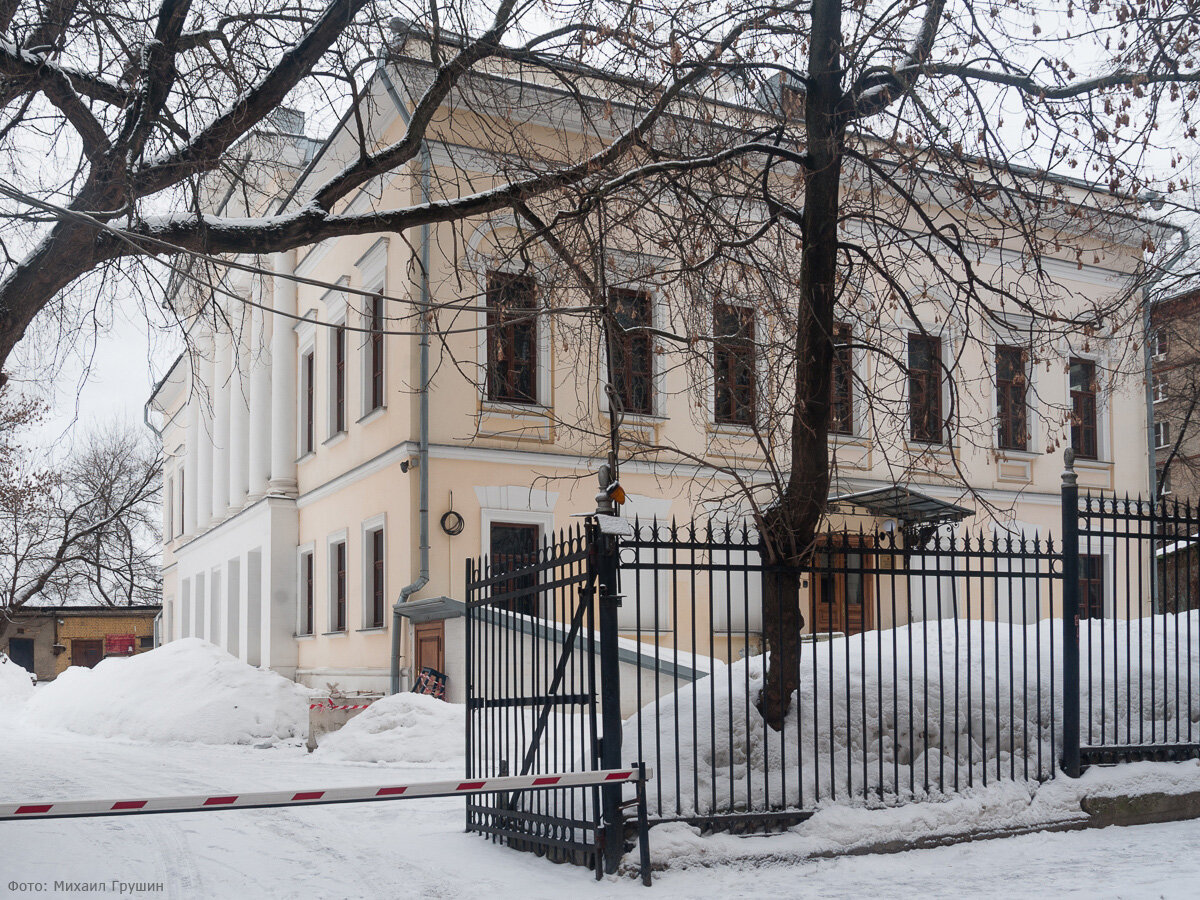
[{"x": 532, "y": 695}]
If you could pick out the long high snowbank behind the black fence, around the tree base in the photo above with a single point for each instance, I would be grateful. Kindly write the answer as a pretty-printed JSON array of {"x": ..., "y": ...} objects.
[{"x": 933, "y": 709}]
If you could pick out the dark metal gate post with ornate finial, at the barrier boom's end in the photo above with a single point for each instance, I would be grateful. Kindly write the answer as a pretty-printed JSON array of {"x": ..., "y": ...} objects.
[{"x": 607, "y": 556}]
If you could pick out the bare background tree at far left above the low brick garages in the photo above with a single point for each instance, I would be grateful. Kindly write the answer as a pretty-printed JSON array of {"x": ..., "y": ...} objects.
[{"x": 85, "y": 531}]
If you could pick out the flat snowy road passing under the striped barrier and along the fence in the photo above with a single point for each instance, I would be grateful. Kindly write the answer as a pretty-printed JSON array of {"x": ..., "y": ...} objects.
[{"x": 418, "y": 850}]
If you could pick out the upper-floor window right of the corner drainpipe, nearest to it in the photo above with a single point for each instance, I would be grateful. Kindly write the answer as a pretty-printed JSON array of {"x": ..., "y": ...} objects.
[{"x": 512, "y": 339}]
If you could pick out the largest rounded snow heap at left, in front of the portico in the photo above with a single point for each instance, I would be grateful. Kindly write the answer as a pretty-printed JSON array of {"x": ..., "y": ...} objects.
[{"x": 185, "y": 691}]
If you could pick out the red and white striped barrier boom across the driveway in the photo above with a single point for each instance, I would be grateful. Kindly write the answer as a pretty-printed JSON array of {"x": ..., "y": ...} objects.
[{"x": 262, "y": 800}]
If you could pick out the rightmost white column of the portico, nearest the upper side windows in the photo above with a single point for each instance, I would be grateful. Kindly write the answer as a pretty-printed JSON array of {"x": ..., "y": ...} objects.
[{"x": 284, "y": 380}]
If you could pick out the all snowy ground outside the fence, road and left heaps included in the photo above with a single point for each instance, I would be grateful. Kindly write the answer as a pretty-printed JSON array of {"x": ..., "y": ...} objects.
[{"x": 417, "y": 849}]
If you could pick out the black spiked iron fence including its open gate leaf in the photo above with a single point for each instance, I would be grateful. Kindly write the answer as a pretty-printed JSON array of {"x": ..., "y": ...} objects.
[{"x": 932, "y": 661}]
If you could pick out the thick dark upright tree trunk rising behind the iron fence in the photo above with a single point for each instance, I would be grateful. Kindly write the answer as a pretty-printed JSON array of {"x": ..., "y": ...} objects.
[{"x": 790, "y": 527}]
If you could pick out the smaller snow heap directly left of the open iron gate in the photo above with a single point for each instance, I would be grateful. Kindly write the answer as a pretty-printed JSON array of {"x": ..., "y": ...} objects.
[{"x": 412, "y": 729}]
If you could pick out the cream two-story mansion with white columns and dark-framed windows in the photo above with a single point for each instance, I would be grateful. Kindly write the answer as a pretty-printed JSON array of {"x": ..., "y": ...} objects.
[{"x": 331, "y": 454}]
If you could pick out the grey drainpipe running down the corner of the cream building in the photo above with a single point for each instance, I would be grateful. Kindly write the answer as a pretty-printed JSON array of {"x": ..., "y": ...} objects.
[{"x": 423, "y": 453}]
